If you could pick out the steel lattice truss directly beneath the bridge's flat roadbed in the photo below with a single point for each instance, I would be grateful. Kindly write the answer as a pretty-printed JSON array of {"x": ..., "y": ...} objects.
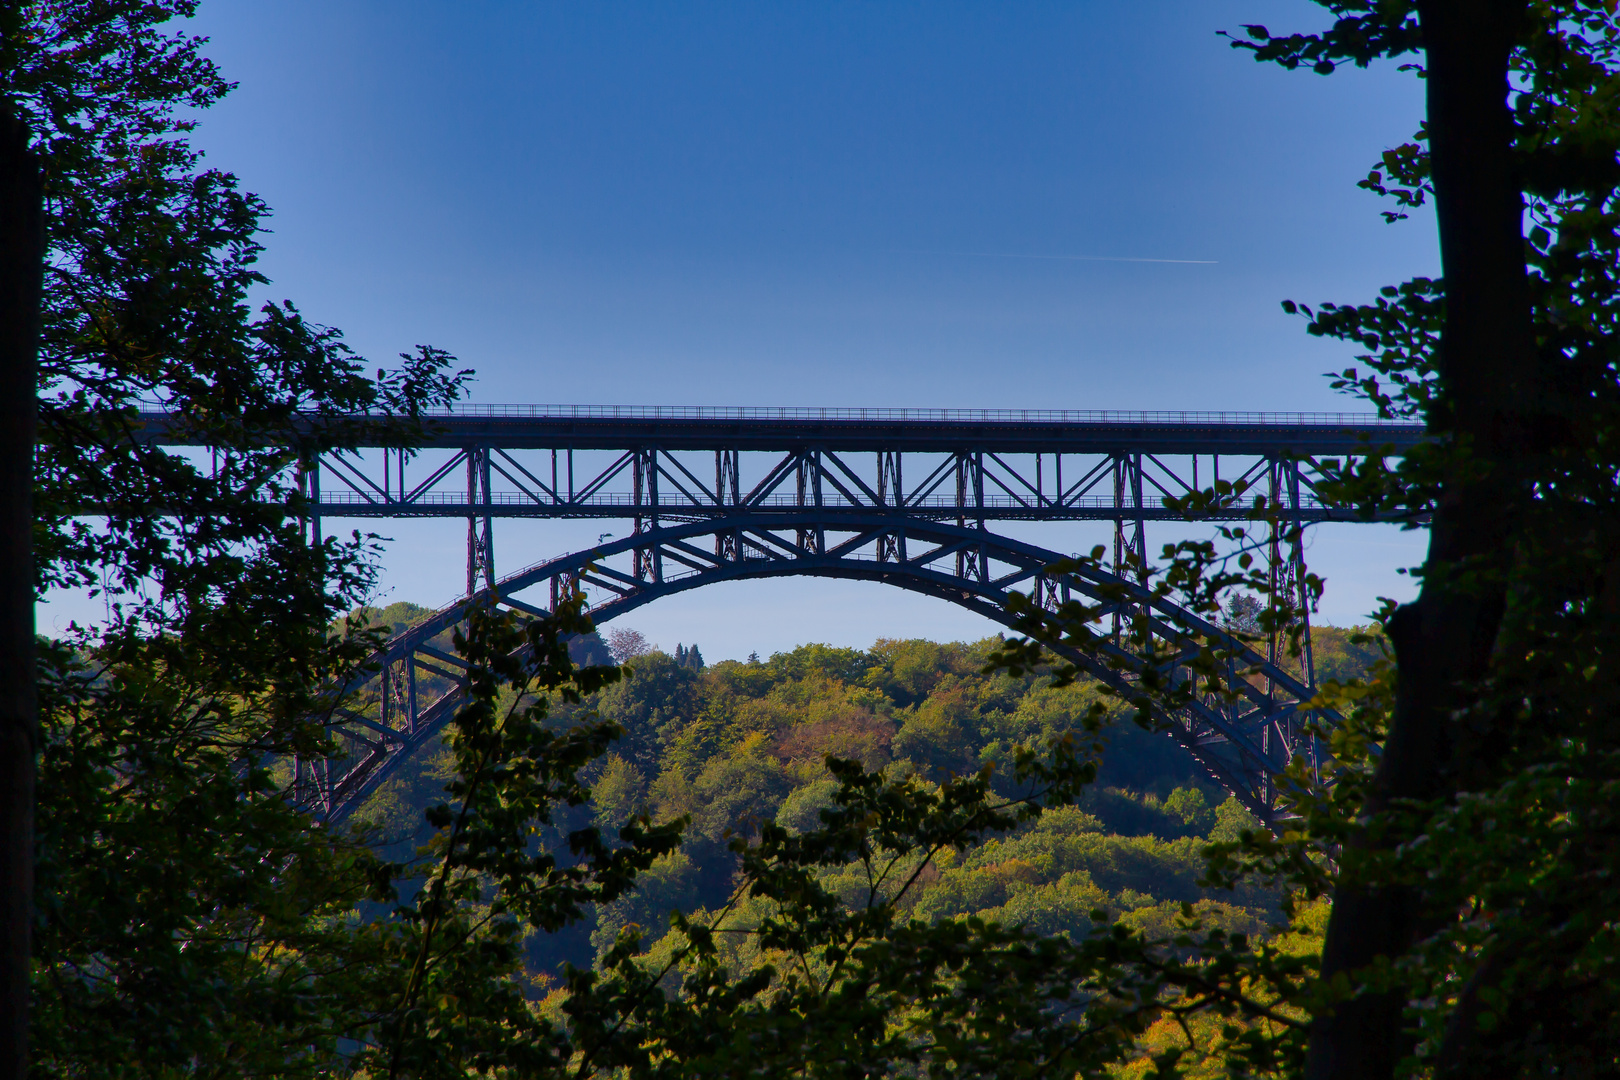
[{"x": 654, "y": 482}]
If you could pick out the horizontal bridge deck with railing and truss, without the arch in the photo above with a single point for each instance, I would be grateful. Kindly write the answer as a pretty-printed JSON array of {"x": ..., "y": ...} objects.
[{"x": 650, "y": 464}]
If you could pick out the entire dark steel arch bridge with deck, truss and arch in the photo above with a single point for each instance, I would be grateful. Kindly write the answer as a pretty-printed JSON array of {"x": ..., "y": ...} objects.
[{"x": 903, "y": 498}]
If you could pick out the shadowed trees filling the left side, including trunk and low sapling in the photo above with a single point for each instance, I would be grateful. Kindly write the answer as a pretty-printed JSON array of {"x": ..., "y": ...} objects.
[{"x": 192, "y": 916}]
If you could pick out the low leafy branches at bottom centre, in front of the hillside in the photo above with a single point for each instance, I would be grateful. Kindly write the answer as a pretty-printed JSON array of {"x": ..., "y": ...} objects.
[{"x": 855, "y": 985}]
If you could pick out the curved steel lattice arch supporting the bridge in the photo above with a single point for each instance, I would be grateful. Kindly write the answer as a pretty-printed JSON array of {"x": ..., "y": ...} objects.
[{"x": 1242, "y": 749}]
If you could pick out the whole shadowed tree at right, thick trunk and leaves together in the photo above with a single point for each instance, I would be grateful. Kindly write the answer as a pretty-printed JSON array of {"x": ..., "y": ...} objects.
[{"x": 1475, "y": 853}]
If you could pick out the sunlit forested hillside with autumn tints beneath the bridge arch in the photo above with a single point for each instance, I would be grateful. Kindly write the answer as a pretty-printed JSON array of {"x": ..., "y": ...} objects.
[{"x": 738, "y": 744}]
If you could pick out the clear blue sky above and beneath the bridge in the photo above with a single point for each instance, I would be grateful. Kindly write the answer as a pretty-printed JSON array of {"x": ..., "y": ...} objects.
[{"x": 819, "y": 205}]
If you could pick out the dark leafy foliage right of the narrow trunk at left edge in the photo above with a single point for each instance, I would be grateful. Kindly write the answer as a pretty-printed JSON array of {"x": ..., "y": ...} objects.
[{"x": 190, "y": 916}]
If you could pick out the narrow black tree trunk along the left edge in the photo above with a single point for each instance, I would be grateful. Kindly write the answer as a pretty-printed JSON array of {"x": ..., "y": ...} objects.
[{"x": 22, "y": 250}]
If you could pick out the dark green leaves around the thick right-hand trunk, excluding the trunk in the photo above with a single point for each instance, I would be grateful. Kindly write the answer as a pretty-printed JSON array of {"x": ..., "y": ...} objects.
[{"x": 1498, "y": 985}]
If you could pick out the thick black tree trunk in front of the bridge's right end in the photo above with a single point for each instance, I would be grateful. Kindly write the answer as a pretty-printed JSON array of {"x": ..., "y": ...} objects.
[{"x": 1488, "y": 364}]
